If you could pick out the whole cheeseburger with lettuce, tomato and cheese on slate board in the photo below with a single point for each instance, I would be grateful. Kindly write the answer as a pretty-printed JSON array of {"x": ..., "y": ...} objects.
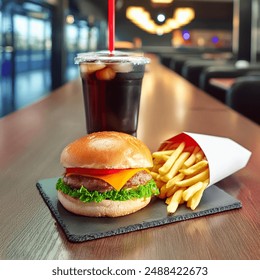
[{"x": 106, "y": 175}]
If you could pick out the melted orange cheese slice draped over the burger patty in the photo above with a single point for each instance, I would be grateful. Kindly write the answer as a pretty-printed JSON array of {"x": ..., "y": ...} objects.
[{"x": 119, "y": 179}]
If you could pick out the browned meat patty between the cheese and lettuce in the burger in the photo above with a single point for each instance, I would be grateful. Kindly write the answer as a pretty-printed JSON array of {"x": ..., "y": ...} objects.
[{"x": 95, "y": 184}]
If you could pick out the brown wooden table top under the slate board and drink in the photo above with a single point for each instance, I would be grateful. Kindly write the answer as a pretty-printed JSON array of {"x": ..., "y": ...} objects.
[{"x": 32, "y": 139}]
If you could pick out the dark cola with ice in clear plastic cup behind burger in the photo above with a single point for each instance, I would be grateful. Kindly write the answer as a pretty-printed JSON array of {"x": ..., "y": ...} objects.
[{"x": 112, "y": 92}]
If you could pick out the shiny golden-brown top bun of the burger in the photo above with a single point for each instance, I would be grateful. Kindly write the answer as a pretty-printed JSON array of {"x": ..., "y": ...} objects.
[{"x": 107, "y": 149}]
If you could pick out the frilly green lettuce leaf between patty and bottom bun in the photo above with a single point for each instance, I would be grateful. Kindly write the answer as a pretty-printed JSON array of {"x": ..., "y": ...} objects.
[{"x": 84, "y": 195}]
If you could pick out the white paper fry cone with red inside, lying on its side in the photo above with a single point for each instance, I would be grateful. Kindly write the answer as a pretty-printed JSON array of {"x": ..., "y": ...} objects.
[{"x": 224, "y": 155}]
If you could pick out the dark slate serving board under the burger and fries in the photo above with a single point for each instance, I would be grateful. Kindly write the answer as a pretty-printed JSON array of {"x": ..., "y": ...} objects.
[{"x": 80, "y": 229}]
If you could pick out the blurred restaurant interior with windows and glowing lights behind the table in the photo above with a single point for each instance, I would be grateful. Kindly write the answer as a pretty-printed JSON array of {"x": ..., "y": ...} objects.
[{"x": 198, "y": 39}]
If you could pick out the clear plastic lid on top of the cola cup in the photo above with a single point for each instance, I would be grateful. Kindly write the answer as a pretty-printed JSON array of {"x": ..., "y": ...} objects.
[{"x": 115, "y": 57}]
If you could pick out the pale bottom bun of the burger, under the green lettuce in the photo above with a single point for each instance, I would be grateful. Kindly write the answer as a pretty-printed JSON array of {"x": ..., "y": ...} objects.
[{"x": 105, "y": 208}]
